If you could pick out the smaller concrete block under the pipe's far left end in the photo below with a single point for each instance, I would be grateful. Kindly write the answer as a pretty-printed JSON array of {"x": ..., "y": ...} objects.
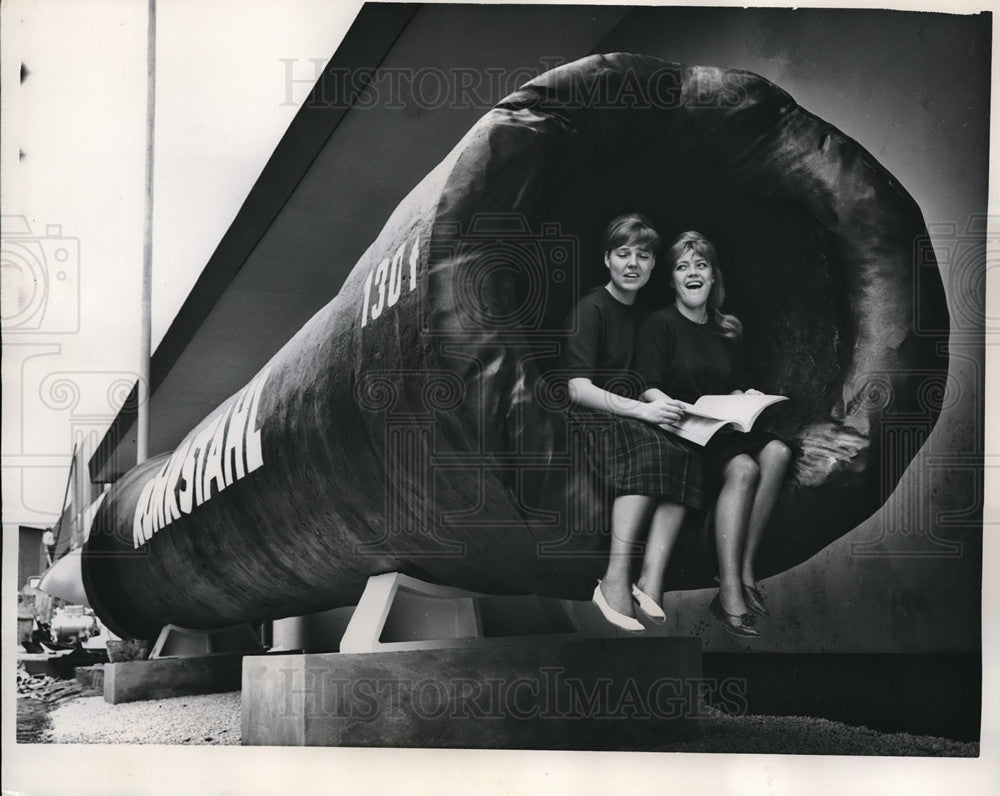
[{"x": 131, "y": 681}]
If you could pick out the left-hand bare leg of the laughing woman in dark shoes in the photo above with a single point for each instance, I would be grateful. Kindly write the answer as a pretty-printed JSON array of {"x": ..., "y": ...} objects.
[{"x": 732, "y": 513}]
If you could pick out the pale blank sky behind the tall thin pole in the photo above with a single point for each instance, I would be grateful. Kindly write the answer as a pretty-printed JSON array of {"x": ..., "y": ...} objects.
[{"x": 72, "y": 193}]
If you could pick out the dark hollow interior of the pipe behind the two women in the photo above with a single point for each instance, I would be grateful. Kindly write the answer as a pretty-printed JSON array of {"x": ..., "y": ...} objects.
[{"x": 780, "y": 266}]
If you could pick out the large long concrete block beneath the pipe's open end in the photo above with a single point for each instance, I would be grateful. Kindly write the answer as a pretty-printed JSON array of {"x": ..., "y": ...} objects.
[{"x": 615, "y": 694}]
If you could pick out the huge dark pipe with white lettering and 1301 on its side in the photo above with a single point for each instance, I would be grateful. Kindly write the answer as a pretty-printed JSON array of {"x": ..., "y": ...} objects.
[{"x": 417, "y": 423}]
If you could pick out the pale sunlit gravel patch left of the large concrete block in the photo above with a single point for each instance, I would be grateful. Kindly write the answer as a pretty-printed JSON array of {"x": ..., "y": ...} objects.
[{"x": 206, "y": 720}]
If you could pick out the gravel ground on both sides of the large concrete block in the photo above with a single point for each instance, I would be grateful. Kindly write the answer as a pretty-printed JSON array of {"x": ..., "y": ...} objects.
[{"x": 214, "y": 719}]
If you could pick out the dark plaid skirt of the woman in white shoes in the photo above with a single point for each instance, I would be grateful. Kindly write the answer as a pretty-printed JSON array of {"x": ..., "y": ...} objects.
[{"x": 641, "y": 459}]
